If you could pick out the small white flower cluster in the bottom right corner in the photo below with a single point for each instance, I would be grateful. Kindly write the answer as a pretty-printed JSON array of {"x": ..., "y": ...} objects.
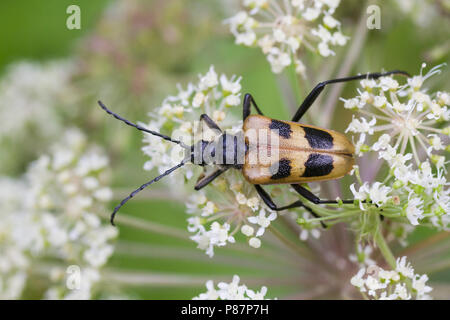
[{"x": 399, "y": 284}]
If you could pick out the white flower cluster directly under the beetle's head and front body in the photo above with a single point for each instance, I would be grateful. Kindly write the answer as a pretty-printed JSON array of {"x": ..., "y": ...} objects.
[{"x": 231, "y": 199}]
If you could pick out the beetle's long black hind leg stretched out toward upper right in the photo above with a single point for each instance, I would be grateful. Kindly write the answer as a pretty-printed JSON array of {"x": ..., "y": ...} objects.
[{"x": 312, "y": 96}]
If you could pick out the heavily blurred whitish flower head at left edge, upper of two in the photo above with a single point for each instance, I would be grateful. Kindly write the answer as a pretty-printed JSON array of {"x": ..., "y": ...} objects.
[{"x": 31, "y": 96}]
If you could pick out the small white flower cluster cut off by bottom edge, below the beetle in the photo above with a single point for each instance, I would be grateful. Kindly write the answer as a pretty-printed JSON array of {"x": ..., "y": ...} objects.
[{"x": 230, "y": 291}]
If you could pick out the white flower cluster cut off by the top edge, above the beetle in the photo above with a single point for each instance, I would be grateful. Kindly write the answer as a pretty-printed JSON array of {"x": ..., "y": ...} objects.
[{"x": 282, "y": 28}]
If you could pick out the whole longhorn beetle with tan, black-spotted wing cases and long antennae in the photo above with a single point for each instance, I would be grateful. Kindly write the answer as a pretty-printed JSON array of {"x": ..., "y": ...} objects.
[{"x": 306, "y": 153}]
